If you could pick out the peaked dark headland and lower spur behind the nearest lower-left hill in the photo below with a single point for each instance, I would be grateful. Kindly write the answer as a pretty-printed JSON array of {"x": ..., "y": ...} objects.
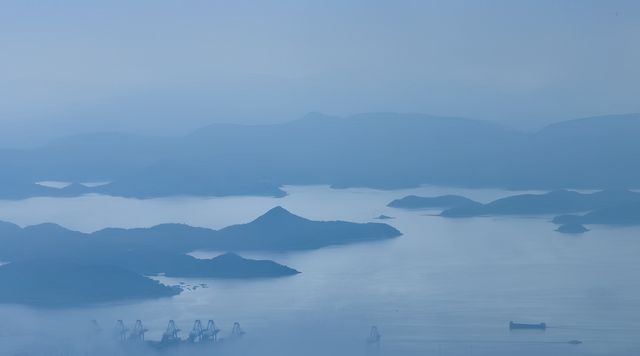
[{"x": 163, "y": 249}]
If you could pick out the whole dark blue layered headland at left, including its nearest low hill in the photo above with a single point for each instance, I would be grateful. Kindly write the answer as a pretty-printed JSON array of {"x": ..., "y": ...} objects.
[{"x": 52, "y": 265}]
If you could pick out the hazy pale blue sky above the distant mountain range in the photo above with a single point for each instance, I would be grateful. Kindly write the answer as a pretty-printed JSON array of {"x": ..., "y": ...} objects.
[{"x": 160, "y": 65}]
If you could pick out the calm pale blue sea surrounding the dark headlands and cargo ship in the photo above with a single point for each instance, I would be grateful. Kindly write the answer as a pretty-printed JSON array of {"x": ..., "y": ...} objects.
[{"x": 446, "y": 287}]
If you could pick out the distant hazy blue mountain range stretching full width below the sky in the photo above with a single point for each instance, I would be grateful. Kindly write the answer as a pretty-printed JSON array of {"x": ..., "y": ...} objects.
[{"x": 383, "y": 150}]
